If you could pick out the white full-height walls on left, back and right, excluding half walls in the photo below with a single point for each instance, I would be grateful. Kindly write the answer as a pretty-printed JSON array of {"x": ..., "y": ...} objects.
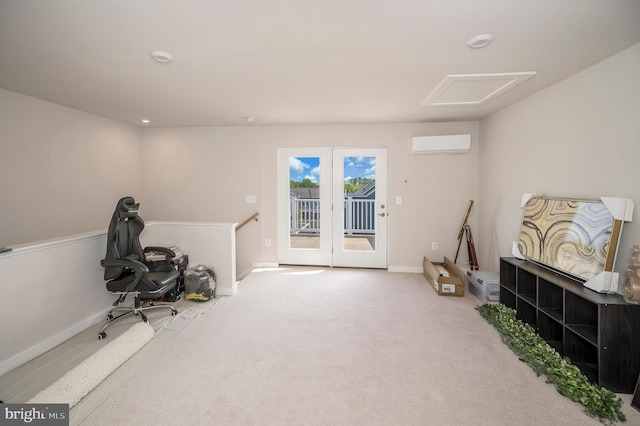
[{"x": 577, "y": 138}]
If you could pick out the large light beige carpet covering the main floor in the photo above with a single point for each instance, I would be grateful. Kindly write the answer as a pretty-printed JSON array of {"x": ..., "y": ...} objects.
[{"x": 318, "y": 346}]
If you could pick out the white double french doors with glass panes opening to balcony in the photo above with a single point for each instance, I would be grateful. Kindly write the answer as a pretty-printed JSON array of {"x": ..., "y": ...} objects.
[{"x": 332, "y": 207}]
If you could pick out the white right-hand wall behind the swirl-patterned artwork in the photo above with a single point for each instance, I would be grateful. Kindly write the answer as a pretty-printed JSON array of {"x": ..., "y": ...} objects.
[{"x": 579, "y": 138}]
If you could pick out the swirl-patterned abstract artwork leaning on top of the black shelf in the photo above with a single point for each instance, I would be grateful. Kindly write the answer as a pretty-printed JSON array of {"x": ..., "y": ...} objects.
[{"x": 575, "y": 237}]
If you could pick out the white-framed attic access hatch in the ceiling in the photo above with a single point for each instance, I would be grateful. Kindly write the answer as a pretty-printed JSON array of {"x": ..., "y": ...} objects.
[{"x": 474, "y": 89}]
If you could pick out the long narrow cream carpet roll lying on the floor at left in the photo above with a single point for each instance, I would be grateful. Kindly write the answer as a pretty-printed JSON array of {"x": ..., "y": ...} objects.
[{"x": 83, "y": 378}]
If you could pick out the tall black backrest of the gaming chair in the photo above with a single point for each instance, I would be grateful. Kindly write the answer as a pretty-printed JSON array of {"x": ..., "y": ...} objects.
[{"x": 123, "y": 237}]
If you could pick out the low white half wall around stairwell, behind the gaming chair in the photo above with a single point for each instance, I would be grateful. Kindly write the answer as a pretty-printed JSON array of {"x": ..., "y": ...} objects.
[{"x": 60, "y": 287}]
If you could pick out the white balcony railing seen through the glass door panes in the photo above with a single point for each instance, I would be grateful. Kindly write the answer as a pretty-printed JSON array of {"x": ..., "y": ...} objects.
[{"x": 359, "y": 216}]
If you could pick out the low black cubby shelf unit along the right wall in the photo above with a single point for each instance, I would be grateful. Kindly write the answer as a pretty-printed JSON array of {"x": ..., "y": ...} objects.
[{"x": 600, "y": 333}]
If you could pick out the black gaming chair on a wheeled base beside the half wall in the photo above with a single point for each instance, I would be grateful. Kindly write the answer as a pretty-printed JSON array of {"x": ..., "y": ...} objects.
[{"x": 127, "y": 270}]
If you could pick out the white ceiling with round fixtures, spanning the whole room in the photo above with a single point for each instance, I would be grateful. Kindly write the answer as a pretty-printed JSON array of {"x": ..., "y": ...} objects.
[{"x": 297, "y": 61}]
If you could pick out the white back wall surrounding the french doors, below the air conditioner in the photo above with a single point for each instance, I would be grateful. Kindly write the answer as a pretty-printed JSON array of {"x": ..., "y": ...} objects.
[{"x": 204, "y": 174}]
